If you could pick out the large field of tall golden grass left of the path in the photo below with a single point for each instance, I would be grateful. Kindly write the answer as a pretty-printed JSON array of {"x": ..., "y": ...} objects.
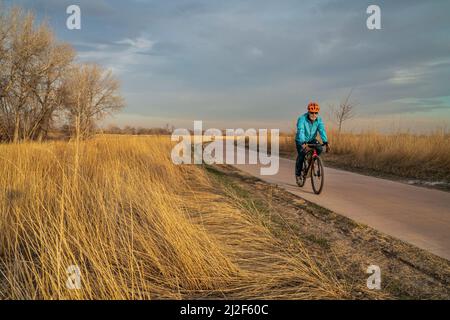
[{"x": 138, "y": 227}]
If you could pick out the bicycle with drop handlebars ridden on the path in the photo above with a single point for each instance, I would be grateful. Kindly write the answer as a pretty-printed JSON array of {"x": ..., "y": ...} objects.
[{"x": 313, "y": 166}]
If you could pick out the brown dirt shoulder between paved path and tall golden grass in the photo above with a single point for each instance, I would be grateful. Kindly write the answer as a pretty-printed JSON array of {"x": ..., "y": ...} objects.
[{"x": 341, "y": 245}]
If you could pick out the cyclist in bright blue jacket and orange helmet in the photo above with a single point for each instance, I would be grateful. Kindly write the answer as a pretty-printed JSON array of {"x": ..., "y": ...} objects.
[{"x": 308, "y": 125}]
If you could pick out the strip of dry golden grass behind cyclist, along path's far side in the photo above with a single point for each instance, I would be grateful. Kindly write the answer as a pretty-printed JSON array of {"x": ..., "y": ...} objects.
[{"x": 403, "y": 154}]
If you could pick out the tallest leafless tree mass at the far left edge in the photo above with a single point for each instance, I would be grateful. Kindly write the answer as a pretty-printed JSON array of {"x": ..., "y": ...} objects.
[{"x": 32, "y": 64}]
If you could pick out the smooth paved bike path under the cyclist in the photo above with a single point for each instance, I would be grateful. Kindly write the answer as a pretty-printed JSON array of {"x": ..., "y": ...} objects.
[{"x": 413, "y": 214}]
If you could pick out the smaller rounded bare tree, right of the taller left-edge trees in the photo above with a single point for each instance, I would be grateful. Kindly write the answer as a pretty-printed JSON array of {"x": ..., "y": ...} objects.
[{"x": 90, "y": 93}]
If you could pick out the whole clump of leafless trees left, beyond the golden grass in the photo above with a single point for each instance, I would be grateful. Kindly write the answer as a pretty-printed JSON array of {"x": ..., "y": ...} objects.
[{"x": 41, "y": 86}]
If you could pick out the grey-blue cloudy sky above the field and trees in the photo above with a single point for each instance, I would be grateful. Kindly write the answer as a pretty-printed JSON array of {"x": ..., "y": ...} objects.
[{"x": 256, "y": 63}]
